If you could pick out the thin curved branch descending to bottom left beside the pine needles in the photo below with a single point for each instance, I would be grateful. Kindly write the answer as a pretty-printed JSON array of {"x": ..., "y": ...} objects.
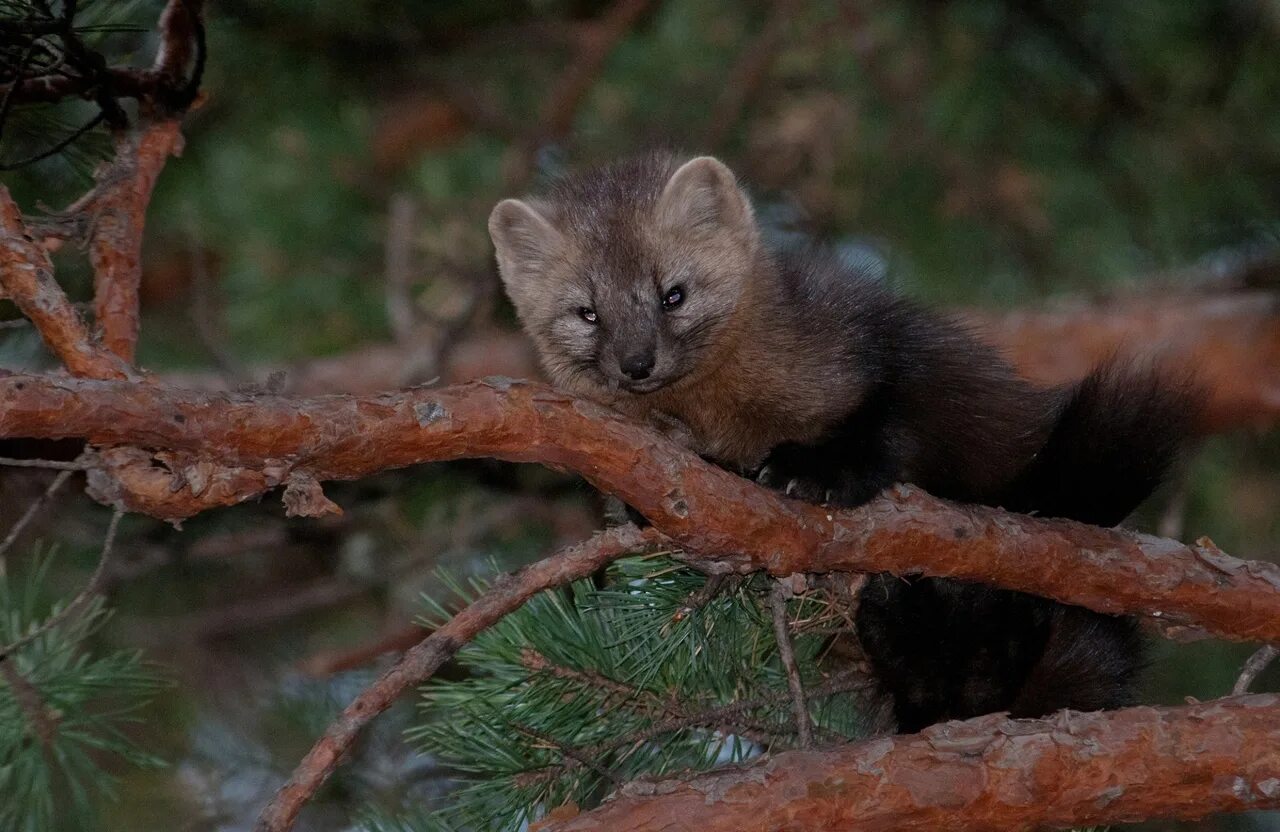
[{"x": 508, "y": 595}]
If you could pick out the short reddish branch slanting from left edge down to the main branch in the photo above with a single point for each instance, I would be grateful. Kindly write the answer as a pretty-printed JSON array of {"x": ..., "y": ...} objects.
[{"x": 28, "y": 277}]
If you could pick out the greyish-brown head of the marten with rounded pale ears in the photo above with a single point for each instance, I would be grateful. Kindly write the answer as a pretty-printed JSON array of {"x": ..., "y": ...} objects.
[{"x": 628, "y": 278}]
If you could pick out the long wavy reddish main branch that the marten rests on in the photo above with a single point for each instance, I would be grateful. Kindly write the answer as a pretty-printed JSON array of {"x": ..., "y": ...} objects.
[{"x": 726, "y": 522}]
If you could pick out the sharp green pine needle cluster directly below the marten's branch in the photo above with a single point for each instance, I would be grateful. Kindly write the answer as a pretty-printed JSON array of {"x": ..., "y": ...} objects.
[{"x": 661, "y": 670}]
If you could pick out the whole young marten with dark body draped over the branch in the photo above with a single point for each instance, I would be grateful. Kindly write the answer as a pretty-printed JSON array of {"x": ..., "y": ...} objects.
[{"x": 646, "y": 286}]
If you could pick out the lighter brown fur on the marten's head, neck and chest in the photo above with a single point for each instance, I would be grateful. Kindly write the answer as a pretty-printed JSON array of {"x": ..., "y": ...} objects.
[{"x": 737, "y": 383}]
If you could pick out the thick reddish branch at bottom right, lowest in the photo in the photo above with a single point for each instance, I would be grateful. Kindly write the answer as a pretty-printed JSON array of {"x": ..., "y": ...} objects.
[{"x": 982, "y": 775}]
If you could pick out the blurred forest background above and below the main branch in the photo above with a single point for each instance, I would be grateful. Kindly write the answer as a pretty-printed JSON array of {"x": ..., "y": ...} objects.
[{"x": 326, "y": 230}]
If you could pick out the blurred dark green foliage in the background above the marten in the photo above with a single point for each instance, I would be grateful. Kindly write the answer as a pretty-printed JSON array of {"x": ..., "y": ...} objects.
[{"x": 993, "y": 150}]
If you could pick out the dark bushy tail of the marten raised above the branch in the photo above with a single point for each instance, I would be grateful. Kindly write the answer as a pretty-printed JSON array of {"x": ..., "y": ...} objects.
[{"x": 1114, "y": 440}]
